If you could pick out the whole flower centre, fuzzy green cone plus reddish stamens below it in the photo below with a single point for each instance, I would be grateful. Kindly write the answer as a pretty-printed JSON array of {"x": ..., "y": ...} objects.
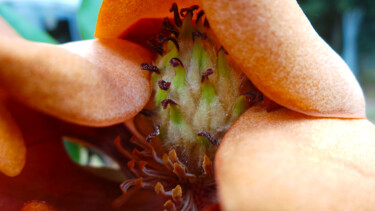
[{"x": 197, "y": 95}]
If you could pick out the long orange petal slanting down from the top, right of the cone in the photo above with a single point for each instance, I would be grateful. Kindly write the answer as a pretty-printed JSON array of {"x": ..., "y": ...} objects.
[{"x": 280, "y": 52}]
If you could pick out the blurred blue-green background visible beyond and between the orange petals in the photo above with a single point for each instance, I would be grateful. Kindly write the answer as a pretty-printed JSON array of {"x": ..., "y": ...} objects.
[{"x": 347, "y": 25}]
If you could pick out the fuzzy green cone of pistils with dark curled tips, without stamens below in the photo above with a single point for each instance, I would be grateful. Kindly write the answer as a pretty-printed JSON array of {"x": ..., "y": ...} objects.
[{"x": 202, "y": 83}]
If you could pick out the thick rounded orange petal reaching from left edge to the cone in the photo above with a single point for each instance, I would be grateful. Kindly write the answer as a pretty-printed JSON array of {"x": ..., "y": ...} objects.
[{"x": 99, "y": 84}]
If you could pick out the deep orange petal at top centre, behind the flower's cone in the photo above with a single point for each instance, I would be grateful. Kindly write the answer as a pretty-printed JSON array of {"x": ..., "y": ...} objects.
[{"x": 116, "y": 16}]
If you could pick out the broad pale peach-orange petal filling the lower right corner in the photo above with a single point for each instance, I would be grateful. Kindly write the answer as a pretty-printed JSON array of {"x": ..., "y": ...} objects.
[{"x": 284, "y": 160}]
